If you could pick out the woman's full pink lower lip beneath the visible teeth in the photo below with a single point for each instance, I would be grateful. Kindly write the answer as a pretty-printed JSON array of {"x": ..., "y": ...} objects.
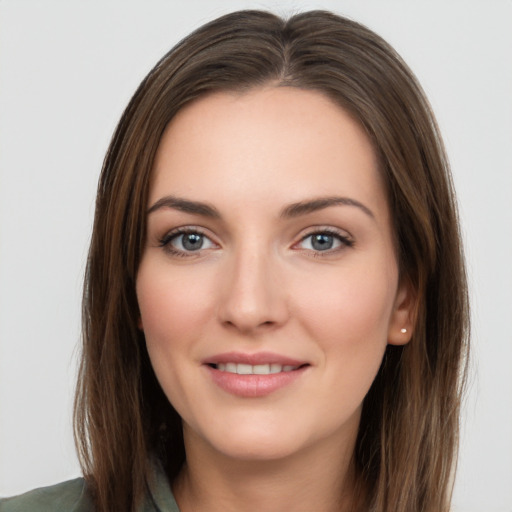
[{"x": 251, "y": 386}]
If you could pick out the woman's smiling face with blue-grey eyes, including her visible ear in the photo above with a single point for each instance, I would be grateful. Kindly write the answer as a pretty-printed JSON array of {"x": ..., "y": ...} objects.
[{"x": 268, "y": 288}]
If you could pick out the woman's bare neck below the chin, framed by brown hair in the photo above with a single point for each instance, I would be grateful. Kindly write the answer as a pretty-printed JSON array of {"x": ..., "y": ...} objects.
[{"x": 320, "y": 479}]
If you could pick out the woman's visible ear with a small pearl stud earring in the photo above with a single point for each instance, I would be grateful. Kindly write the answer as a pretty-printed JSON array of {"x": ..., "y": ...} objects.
[{"x": 403, "y": 317}]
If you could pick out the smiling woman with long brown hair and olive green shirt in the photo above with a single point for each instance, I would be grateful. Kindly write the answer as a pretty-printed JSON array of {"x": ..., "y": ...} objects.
[{"x": 275, "y": 307}]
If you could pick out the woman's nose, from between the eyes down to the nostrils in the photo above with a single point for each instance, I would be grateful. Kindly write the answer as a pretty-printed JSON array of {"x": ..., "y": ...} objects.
[{"x": 254, "y": 295}]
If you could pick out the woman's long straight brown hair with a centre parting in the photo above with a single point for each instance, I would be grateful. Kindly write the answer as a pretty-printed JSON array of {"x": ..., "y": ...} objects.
[{"x": 406, "y": 448}]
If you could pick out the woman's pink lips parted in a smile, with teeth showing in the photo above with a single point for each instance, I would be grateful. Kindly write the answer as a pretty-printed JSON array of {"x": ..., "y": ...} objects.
[{"x": 253, "y": 375}]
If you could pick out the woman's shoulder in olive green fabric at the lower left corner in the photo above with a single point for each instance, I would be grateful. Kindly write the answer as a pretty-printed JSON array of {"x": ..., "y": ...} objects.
[{"x": 70, "y": 496}]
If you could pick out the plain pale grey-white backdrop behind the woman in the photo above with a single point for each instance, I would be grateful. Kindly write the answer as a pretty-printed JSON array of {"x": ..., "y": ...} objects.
[{"x": 68, "y": 68}]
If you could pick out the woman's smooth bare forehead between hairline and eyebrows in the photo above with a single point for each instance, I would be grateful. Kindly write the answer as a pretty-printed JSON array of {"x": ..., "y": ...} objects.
[{"x": 274, "y": 142}]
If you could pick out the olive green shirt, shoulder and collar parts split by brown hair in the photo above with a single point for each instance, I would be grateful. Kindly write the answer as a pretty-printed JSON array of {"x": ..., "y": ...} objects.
[{"x": 72, "y": 496}]
